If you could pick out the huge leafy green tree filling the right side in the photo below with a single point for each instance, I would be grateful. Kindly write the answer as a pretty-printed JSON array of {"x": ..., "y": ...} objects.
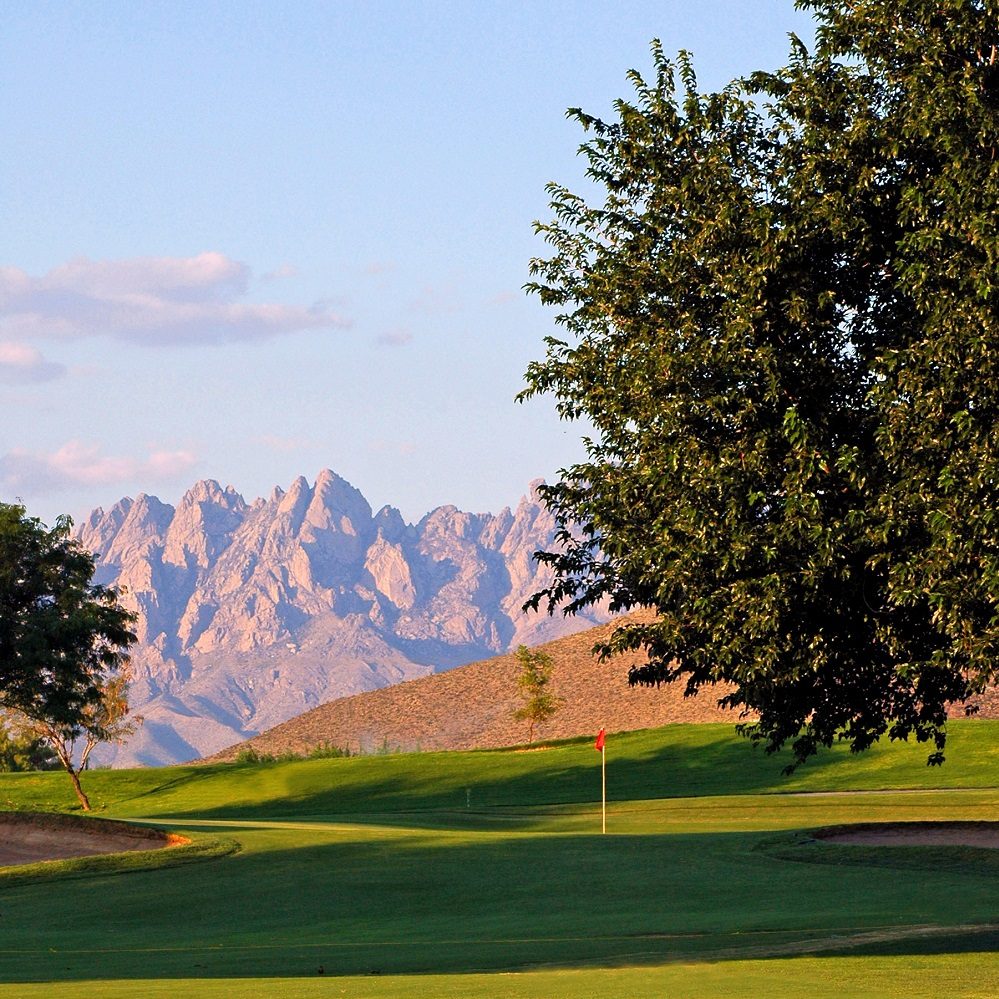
[{"x": 781, "y": 322}]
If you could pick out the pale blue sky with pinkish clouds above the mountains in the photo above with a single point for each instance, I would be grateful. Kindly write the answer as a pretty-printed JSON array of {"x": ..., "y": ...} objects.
[{"x": 247, "y": 241}]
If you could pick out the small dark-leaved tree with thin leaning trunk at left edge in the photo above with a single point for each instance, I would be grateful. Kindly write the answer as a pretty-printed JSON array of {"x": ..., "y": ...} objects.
[{"x": 63, "y": 641}]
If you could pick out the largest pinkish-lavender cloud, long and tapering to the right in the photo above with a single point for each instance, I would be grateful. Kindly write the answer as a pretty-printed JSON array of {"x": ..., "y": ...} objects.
[{"x": 148, "y": 300}]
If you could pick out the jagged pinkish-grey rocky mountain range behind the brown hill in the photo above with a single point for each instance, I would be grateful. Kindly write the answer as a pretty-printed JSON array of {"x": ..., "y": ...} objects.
[{"x": 249, "y": 613}]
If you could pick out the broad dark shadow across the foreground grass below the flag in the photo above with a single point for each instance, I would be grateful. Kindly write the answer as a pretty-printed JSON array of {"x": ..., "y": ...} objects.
[{"x": 418, "y": 903}]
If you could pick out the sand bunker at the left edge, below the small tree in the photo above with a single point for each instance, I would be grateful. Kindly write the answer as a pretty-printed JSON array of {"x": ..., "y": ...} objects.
[{"x": 26, "y": 838}]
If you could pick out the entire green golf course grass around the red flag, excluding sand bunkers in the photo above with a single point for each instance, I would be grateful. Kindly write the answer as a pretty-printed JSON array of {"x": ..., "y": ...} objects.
[{"x": 457, "y": 873}]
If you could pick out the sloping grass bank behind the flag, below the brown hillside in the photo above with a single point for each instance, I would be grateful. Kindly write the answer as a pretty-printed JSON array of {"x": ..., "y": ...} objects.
[{"x": 679, "y": 761}]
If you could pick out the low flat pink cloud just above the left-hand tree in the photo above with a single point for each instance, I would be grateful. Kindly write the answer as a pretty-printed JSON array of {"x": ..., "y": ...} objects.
[{"x": 75, "y": 464}]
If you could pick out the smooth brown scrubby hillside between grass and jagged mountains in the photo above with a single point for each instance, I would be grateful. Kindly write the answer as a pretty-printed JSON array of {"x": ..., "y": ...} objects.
[{"x": 472, "y": 707}]
